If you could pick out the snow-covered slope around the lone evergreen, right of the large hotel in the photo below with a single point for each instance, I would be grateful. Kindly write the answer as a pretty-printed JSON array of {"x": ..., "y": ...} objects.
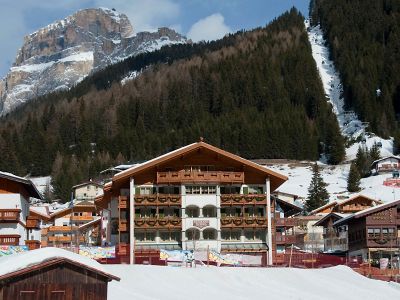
[{"x": 300, "y": 174}]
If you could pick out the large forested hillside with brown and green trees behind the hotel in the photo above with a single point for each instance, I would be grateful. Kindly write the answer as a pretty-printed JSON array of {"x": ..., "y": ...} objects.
[{"x": 255, "y": 93}]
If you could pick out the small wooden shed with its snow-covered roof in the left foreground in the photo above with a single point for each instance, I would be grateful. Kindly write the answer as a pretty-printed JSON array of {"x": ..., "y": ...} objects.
[{"x": 51, "y": 273}]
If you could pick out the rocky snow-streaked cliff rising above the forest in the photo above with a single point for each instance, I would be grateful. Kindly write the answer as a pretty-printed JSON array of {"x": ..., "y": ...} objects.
[{"x": 63, "y": 53}]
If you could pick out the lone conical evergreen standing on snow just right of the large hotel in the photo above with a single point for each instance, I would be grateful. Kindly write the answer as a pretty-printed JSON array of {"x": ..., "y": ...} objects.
[{"x": 317, "y": 193}]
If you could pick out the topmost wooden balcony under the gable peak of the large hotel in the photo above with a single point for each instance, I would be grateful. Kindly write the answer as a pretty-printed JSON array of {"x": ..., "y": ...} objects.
[{"x": 200, "y": 177}]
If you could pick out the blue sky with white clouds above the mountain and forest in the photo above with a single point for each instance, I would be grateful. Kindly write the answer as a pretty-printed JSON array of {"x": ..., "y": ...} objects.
[{"x": 199, "y": 19}]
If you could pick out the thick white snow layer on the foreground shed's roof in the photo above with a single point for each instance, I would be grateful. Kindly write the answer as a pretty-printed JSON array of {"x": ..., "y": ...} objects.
[{"x": 16, "y": 262}]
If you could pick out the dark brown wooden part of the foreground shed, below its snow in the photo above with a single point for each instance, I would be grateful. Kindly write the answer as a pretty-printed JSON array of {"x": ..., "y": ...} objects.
[{"x": 56, "y": 278}]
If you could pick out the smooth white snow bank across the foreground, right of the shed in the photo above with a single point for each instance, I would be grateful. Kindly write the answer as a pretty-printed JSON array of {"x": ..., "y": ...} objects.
[{"x": 172, "y": 283}]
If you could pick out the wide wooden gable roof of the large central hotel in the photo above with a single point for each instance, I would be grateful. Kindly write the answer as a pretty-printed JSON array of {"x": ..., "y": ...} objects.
[{"x": 276, "y": 178}]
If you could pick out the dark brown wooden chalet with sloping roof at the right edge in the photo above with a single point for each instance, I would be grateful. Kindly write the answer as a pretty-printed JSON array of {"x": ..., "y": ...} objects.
[{"x": 374, "y": 232}]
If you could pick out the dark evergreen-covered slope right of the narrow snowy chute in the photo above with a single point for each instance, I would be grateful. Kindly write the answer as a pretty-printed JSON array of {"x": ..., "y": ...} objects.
[{"x": 363, "y": 37}]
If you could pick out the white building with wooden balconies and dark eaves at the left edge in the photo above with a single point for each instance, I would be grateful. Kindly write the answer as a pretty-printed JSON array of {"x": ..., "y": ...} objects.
[{"x": 16, "y": 224}]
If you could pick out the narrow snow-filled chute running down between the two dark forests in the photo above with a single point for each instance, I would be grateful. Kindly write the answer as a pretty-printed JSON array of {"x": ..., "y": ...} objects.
[{"x": 351, "y": 127}]
